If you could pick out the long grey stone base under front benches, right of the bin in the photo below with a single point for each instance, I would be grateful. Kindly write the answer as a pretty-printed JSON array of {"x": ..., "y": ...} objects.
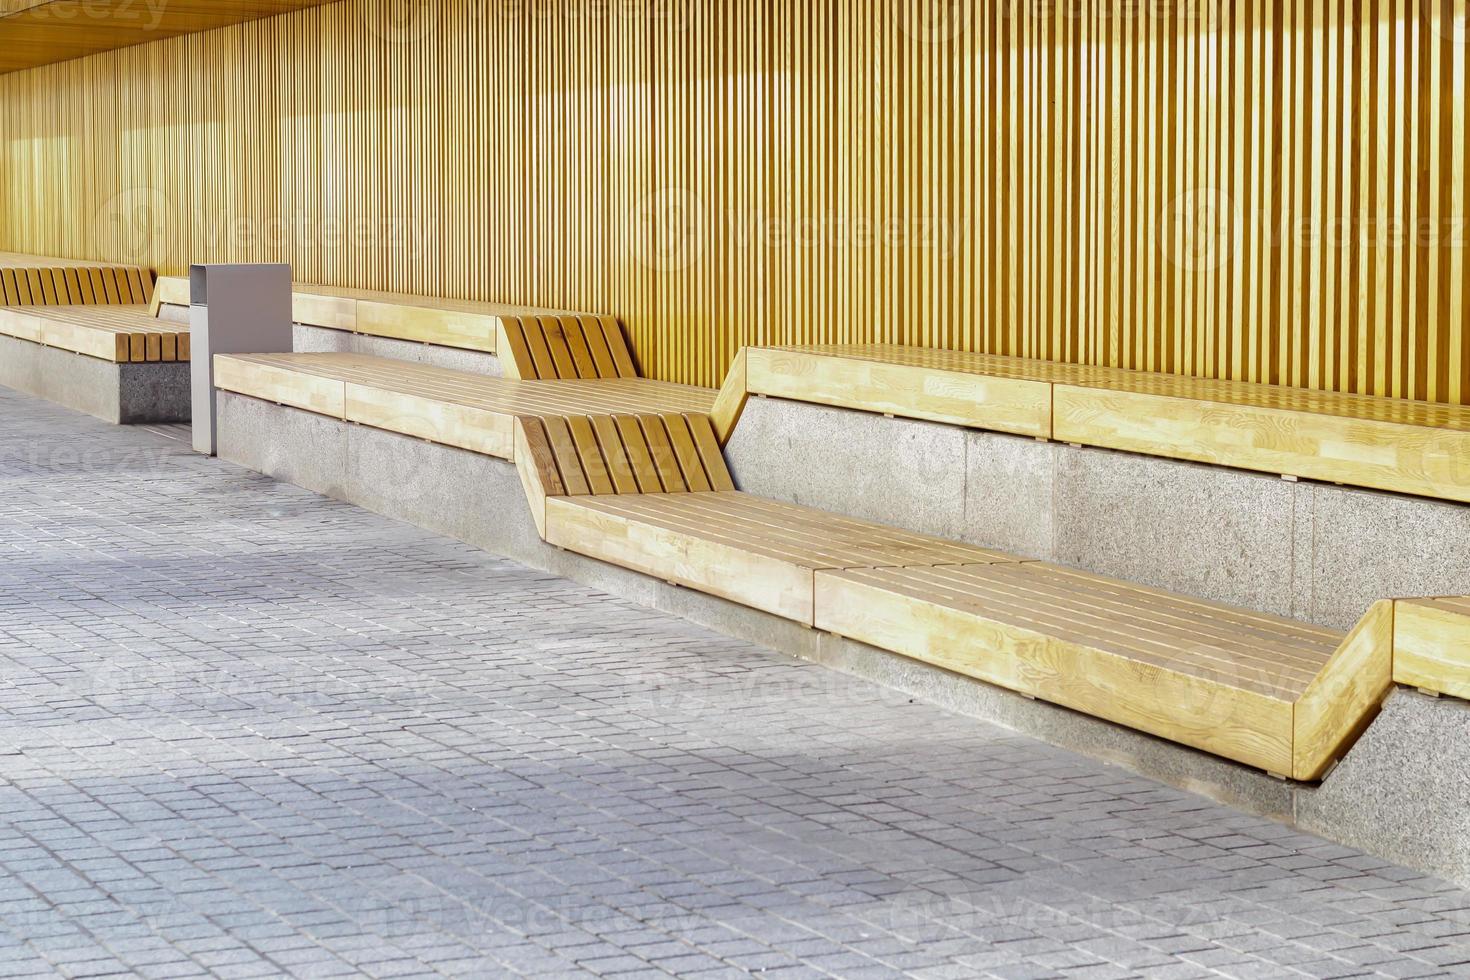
[{"x": 478, "y": 500}]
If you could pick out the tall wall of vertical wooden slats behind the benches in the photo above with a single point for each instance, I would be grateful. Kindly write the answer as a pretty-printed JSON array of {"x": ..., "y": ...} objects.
[{"x": 1255, "y": 190}]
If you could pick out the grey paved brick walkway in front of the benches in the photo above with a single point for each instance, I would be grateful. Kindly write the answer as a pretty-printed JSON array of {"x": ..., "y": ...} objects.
[{"x": 254, "y": 732}]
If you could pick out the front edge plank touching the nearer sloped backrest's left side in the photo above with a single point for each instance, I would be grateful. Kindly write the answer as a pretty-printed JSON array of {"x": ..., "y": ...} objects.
[{"x": 431, "y": 419}]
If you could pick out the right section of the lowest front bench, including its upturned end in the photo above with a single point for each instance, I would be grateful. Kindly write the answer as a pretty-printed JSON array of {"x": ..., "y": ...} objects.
[{"x": 1278, "y": 696}]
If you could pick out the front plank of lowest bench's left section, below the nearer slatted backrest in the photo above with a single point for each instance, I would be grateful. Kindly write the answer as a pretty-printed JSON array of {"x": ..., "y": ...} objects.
[{"x": 761, "y": 583}]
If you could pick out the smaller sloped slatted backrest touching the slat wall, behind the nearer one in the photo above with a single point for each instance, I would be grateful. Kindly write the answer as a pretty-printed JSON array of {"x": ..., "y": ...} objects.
[{"x": 564, "y": 349}]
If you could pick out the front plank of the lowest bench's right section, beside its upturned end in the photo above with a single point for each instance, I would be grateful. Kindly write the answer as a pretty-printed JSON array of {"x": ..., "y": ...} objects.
[{"x": 1216, "y": 718}]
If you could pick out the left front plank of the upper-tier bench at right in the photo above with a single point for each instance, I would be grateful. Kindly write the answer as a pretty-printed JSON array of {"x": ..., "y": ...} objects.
[{"x": 1000, "y": 405}]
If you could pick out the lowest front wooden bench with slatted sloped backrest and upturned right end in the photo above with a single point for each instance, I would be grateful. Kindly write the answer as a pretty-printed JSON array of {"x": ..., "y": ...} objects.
[{"x": 1259, "y": 690}]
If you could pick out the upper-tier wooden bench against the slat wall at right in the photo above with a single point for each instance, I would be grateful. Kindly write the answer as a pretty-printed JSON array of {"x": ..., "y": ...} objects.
[{"x": 1362, "y": 442}]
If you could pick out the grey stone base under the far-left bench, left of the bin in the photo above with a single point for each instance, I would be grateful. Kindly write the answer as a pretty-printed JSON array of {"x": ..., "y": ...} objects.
[{"x": 123, "y": 394}]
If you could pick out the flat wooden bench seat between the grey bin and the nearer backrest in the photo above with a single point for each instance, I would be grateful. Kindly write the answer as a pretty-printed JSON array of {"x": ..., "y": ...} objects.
[{"x": 461, "y": 409}]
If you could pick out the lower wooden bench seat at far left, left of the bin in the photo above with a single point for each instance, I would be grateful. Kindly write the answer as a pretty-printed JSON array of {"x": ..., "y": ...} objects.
[{"x": 118, "y": 334}]
